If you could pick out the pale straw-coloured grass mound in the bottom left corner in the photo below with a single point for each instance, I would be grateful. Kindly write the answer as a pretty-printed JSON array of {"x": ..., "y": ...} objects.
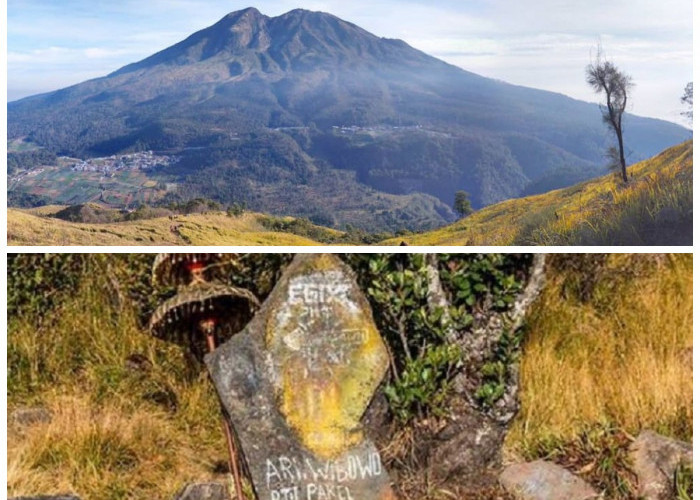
[{"x": 101, "y": 451}]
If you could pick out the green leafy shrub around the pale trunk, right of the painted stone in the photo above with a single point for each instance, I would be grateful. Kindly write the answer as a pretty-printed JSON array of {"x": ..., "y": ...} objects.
[{"x": 421, "y": 335}]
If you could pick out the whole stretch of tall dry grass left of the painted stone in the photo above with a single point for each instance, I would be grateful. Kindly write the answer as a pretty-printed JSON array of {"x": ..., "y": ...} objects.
[{"x": 117, "y": 431}]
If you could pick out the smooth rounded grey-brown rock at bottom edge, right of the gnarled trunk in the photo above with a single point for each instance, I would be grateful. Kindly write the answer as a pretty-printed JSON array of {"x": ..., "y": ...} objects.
[{"x": 542, "y": 480}]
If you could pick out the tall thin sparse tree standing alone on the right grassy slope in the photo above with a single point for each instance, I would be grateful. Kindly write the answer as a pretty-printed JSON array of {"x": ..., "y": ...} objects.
[{"x": 607, "y": 78}]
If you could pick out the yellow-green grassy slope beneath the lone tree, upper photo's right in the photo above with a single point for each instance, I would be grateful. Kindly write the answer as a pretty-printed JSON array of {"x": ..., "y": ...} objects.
[{"x": 654, "y": 209}]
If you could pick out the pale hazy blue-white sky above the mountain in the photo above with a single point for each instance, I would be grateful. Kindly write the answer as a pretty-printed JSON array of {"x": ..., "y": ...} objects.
[{"x": 538, "y": 43}]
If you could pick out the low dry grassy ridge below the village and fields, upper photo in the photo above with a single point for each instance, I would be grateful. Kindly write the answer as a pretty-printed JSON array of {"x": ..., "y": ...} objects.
[{"x": 36, "y": 227}]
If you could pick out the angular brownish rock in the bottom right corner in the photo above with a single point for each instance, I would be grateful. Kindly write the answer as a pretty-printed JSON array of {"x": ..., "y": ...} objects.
[{"x": 654, "y": 461}]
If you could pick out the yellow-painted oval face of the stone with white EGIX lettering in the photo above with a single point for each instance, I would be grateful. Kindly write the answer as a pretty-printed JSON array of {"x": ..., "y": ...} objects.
[{"x": 327, "y": 355}]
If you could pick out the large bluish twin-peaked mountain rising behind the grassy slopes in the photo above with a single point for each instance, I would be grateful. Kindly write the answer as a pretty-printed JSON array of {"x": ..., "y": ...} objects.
[{"x": 259, "y": 107}]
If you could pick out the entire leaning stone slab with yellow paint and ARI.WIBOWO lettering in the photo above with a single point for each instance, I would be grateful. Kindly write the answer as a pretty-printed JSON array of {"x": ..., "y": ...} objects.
[{"x": 296, "y": 382}]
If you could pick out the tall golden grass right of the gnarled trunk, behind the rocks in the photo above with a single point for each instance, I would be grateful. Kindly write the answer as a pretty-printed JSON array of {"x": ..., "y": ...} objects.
[{"x": 624, "y": 358}]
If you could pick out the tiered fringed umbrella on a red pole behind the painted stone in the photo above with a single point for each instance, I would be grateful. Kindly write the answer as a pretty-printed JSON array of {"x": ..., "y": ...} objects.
[{"x": 202, "y": 315}]
